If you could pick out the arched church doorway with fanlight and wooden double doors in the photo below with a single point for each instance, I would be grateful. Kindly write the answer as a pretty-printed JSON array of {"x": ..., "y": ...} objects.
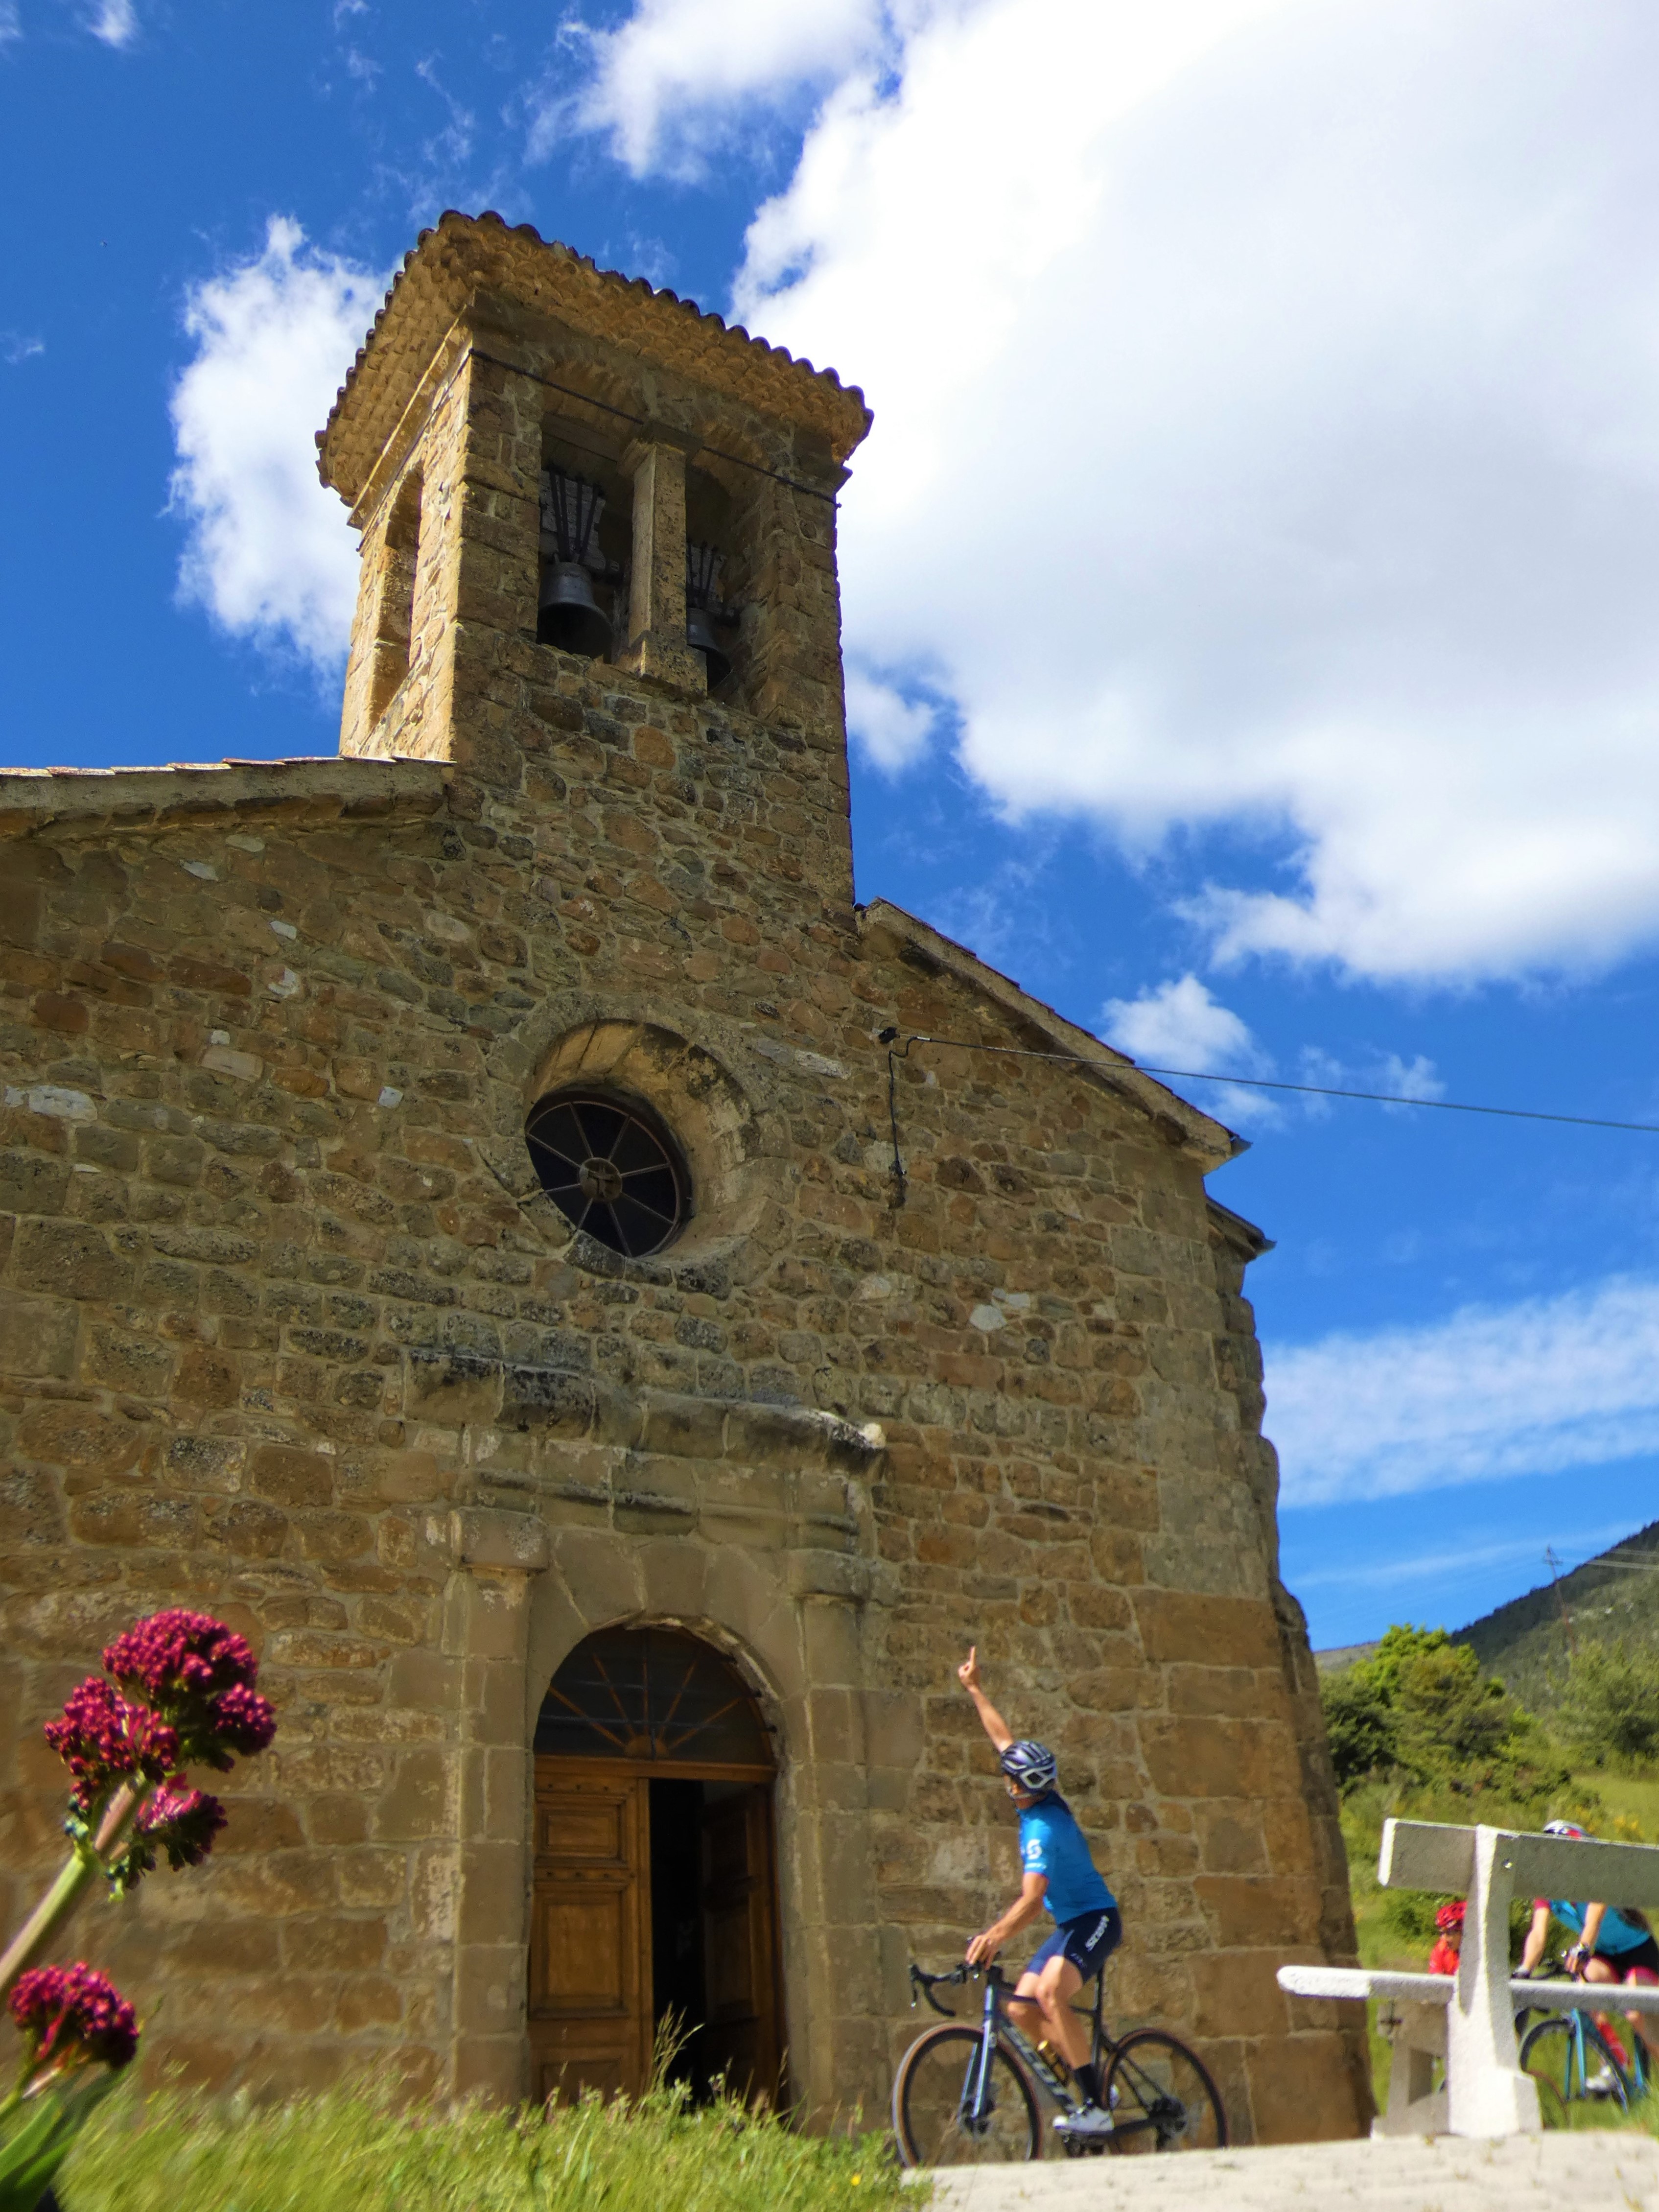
[{"x": 654, "y": 1881}]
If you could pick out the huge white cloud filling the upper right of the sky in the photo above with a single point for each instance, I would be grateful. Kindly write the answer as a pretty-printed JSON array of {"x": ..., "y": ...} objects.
[{"x": 1266, "y": 428}]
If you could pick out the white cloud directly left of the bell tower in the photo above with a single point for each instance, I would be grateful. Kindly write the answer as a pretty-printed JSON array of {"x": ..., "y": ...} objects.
[{"x": 269, "y": 552}]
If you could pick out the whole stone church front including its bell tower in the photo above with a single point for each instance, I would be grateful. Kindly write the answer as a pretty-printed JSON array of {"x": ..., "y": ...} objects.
[{"x": 328, "y": 1306}]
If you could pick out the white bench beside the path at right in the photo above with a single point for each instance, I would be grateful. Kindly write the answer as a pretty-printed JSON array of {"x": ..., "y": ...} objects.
[{"x": 1468, "y": 2021}]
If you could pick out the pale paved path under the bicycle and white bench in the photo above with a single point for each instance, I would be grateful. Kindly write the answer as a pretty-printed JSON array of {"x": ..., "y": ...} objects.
[{"x": 1527, "y": 2173}]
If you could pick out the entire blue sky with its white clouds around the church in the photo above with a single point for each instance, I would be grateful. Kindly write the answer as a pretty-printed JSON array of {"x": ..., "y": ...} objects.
[{"x": 1251, "y": 581}]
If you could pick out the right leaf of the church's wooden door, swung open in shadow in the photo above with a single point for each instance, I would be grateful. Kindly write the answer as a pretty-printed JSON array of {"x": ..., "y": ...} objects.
[{"x": 740, "y": 1943}]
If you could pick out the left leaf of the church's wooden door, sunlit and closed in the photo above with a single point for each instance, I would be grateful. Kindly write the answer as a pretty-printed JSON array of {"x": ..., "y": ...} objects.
[{"x": 589, "y": 2007}]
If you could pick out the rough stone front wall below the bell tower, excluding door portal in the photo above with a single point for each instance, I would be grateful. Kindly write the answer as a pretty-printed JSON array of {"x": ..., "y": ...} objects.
[{"x": 264, "y": 1089}]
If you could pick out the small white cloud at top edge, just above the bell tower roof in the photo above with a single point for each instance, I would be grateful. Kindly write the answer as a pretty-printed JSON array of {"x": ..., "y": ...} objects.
[{"x": 669, "y": 79}]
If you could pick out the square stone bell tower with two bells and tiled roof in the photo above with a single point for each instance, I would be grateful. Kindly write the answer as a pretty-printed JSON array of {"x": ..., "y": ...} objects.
[{"x": 589, "y": 508}]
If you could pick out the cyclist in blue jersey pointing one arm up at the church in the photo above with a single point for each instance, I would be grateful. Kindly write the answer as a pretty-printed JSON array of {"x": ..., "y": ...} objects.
[{"x": 1058, "y": 1872}]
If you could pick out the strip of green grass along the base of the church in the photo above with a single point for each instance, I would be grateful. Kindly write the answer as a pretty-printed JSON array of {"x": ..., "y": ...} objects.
[{"x": 344, "y": 2153}]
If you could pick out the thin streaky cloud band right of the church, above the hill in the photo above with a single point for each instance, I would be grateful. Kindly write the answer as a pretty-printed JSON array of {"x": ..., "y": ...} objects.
[{"x": 1525, "y": 1390}]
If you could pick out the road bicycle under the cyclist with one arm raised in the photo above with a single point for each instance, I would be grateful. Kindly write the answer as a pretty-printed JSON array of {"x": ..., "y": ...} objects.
[{"x": 968, "y": 2096}]
